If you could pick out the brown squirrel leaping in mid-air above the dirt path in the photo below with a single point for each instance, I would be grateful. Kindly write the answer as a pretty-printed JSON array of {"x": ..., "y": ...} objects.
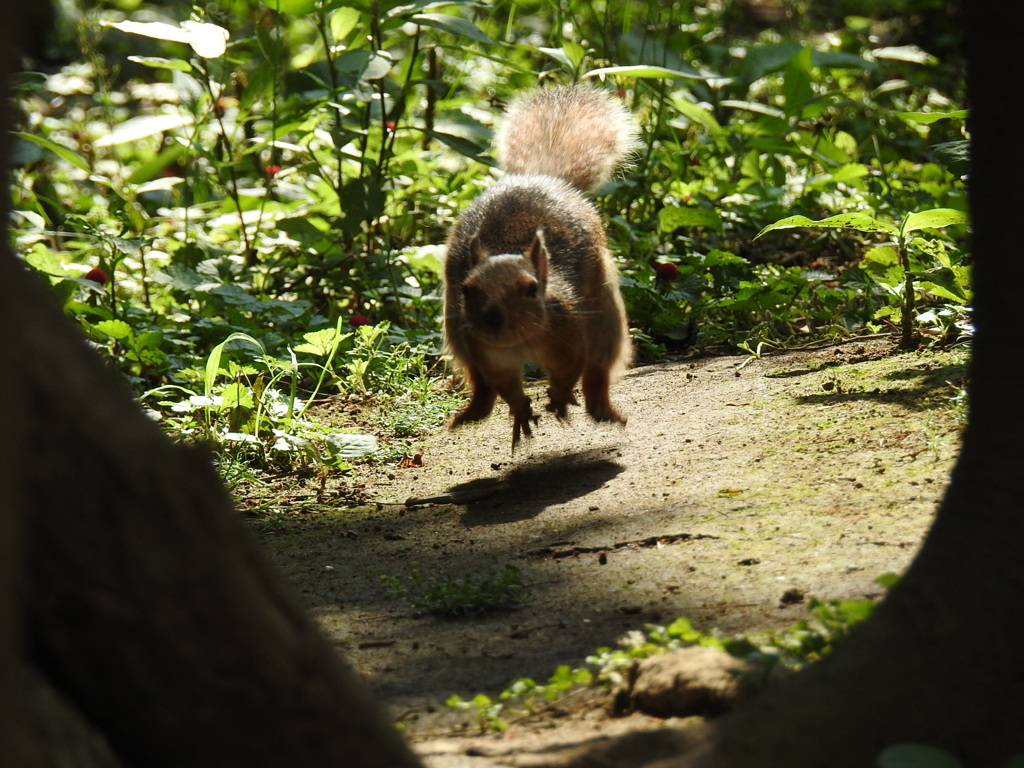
[{"x": 528, "y": 274}]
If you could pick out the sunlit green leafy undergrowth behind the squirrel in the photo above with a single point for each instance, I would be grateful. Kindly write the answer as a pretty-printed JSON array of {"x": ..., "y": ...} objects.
[{"x": 244, "y": 209}]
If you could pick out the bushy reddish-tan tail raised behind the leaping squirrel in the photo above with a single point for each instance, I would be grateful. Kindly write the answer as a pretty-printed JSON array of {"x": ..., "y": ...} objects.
[{"x": 579, "y": 134}]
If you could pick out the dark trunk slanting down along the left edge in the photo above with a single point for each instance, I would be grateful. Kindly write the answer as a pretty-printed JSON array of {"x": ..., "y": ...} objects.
[{"x": 129, "y": 582}]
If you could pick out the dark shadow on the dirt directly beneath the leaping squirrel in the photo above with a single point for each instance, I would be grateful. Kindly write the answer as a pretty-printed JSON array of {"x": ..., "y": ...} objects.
[{"x": 525, "y": 492}]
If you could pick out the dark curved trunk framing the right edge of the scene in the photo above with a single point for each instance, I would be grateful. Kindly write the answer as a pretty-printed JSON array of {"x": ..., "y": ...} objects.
[{"x": 941, "y": 662}]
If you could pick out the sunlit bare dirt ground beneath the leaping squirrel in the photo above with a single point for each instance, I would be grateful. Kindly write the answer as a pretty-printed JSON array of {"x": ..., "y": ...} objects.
[{"x": 736, "y": 482}]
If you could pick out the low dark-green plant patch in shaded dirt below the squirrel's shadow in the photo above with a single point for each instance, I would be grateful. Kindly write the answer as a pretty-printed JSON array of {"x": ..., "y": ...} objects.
[{"x": 500, "y": 589}]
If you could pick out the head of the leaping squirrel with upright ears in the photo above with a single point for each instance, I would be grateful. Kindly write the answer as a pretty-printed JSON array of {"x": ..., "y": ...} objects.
[{"x": 505, "y": 295}]
